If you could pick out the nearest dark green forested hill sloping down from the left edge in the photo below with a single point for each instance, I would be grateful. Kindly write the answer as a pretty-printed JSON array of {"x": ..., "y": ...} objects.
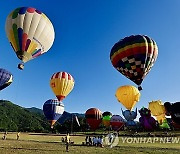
[{"x": 16, "y": 118}]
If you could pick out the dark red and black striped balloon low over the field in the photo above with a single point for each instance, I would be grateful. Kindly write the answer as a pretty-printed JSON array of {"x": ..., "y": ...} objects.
[{"x": 93, "y": 117}]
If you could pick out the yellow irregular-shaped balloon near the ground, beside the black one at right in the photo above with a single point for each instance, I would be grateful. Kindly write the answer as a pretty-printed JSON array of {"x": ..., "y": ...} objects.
[{"x": 158, "y": 110}]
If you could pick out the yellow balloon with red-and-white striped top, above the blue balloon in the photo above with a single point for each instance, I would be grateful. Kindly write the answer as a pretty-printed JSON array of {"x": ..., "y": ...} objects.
[{"x": 61, "y": 84}]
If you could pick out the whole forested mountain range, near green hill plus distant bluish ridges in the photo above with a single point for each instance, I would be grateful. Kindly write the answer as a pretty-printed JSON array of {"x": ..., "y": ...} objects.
[{"x": 17, "y": 118}]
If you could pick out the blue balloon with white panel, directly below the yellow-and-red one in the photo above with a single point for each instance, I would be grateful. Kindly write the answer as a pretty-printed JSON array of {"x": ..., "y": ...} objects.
[{"x": 53, "y": 109}]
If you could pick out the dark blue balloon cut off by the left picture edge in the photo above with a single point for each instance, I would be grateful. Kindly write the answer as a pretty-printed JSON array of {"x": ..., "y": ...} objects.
[{"x": 6, "y": 78}]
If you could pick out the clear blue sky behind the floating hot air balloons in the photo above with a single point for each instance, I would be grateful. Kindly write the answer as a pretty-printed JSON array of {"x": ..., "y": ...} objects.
[{"x": 85, "y": 32}]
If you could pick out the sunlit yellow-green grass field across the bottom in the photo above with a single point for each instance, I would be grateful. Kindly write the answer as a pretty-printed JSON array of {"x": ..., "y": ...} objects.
[{"x": 31, "y": 143}]
